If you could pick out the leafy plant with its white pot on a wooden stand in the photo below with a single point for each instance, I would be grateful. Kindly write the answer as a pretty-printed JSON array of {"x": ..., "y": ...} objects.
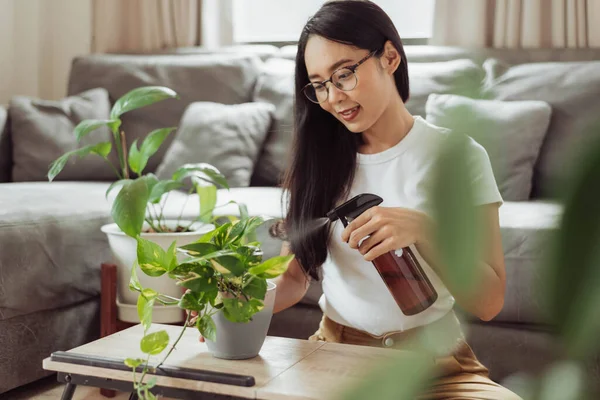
[{"x": 138, "y": 208}]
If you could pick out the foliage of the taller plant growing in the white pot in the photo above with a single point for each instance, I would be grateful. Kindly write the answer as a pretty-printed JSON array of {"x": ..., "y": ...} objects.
[{"x": 142, "y": 197}]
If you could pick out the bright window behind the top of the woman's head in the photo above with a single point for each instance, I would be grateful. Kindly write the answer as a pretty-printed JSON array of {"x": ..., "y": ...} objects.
[{"x": 277, "y": 21}]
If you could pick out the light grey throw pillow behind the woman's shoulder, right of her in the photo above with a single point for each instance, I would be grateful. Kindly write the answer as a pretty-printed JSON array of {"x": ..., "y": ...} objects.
[{"x": 512, "y": 133}]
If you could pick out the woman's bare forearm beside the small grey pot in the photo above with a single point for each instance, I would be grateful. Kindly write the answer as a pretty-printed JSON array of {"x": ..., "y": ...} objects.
[{"x": 291, "y": 285}]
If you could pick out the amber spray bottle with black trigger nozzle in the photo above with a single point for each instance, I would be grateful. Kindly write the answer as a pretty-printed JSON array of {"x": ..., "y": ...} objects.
[{"x": 399, "y": 269}]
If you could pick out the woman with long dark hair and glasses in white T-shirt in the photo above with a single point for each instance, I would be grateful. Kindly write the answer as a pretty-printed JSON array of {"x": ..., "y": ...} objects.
[{"x": 354, "y": 135}]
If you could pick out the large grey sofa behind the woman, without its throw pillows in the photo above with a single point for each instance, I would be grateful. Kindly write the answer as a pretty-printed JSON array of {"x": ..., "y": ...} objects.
[{"x": 51, "y": 246}]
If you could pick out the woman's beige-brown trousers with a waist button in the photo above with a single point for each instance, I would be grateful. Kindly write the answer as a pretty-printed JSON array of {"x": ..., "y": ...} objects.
[{"x": 460, "y": 374}]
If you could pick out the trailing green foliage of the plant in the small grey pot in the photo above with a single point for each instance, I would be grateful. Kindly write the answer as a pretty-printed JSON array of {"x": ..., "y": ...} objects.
[{"x": 224, "y": 271}]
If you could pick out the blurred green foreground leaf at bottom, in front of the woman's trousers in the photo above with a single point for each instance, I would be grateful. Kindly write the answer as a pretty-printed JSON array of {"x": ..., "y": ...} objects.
[{"x": 403, "y": 377}]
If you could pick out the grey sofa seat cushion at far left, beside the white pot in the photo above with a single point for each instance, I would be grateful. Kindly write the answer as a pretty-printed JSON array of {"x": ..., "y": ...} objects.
[{"x": 52, "y": 246}]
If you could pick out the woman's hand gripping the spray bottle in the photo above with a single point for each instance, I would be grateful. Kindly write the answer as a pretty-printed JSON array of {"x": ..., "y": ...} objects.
[{"x": 389, "y": 228}]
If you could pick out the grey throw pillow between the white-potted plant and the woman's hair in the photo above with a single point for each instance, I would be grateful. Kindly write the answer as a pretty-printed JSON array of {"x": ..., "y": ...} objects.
[{"x": 229, "y": 137}]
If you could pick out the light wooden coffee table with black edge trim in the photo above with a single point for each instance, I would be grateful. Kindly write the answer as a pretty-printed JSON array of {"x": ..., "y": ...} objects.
[{"x": 285, "y": 368}]
